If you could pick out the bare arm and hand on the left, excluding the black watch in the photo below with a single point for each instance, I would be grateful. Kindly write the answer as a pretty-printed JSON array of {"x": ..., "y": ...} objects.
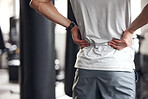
[{"x": 47, "y": 9}]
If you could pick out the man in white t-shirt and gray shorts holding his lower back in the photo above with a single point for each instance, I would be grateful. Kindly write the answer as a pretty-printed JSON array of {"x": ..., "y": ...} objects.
[{"x": 105, "y": 67}]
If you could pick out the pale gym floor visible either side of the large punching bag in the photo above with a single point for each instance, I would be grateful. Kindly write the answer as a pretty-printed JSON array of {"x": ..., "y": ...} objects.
[{"x": 11, "y": 90}]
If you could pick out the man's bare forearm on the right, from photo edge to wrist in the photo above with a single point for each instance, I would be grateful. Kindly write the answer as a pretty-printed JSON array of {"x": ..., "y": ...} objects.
[{"x": 140, "y": 21}]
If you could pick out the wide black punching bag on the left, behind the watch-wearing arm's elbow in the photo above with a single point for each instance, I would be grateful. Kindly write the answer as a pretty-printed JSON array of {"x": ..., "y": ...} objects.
[{"x": 36, "y": 54}]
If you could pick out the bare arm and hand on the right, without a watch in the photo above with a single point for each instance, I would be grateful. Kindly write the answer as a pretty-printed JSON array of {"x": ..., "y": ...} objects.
[{"x": 140, "y": 21}]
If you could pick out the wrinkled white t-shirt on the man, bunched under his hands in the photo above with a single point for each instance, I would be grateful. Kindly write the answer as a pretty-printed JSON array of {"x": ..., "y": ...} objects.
[{"x": 100, "y": 21}]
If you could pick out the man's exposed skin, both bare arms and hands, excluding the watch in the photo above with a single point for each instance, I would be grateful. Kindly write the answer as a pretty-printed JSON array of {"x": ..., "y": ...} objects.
[{"x": 47, "y": 9}]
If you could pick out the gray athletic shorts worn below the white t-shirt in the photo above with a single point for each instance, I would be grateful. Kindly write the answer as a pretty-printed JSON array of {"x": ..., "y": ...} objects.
[{"x": 95, "y": 84}]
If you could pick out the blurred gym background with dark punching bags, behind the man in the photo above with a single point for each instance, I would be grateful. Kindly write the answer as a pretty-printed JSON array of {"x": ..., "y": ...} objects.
[{"x": 37, "y": 56}]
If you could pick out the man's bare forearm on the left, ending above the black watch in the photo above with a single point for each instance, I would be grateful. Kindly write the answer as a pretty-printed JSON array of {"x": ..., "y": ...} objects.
[{"x": 47, "y": 9}]
